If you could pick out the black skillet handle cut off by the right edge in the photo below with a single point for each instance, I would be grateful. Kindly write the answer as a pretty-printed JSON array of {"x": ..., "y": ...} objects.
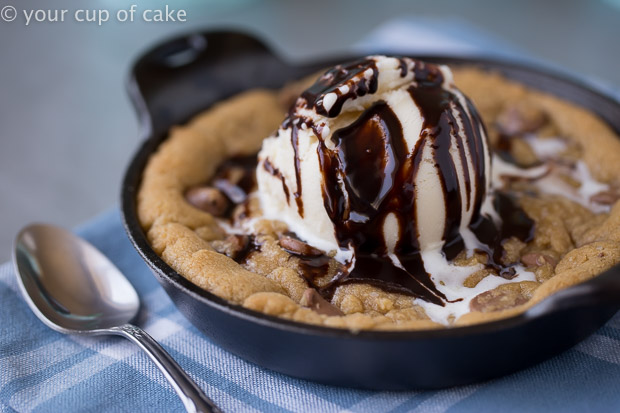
[{"x": 600, "y": 291}]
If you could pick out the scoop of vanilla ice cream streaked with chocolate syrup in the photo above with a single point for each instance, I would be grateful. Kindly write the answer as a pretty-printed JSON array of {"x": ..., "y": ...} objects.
[{"x": 382, "y": 156}]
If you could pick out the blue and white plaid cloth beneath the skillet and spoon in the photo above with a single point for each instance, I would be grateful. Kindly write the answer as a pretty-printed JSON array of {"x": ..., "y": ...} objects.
[{"x": 44, "y": 371}]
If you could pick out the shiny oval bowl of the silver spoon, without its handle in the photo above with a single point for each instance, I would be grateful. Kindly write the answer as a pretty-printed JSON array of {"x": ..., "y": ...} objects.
[{"x": 71, "y": 286}]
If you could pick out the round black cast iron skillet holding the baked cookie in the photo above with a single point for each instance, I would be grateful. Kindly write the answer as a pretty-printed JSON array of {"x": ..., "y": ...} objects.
[{"x": 179, "y": 78}]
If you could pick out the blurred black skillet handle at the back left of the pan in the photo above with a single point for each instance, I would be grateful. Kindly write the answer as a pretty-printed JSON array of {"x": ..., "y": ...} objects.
[{"x": 188, "y": 74}]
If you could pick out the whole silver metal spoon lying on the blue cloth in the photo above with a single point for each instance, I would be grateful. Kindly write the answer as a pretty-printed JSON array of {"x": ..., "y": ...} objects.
[{"x": 74, "y": 289}]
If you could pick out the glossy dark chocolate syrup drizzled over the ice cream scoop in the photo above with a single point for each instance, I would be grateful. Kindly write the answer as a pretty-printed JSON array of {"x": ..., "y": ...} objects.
[{"x": 369, "y": 174}]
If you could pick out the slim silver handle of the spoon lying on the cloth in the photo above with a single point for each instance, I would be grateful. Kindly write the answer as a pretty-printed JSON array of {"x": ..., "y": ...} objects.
[{"x": 191, "y": 395}]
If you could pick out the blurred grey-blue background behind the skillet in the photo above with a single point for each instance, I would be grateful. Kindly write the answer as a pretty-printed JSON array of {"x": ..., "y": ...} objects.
[{"x": 67, "y": 129}]
